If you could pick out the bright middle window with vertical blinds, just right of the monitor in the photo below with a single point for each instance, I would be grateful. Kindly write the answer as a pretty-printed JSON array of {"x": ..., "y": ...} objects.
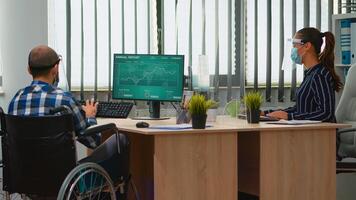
[{"x": 179, "y": 30}]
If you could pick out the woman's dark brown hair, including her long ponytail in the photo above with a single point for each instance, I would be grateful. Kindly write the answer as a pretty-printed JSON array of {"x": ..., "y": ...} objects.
[{"x": 327, "y": 57}]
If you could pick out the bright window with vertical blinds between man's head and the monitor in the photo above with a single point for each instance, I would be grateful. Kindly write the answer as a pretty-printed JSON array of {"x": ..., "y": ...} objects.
[{"x": 57, "y": 35}]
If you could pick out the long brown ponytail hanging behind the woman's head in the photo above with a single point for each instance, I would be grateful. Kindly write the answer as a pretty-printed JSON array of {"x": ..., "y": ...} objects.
[{"x": 327, "y": 58}]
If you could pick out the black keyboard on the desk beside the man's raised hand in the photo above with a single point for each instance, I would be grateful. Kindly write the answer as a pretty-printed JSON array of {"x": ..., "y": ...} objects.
[{"x": 108, "y": 109}]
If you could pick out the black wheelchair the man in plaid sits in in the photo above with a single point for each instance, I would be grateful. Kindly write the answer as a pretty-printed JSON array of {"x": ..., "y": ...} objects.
[{"x": 40, "y": 161}]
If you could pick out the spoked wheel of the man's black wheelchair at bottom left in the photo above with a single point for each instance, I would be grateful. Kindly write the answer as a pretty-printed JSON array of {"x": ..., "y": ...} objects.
[{"x": 87, "y": 181}]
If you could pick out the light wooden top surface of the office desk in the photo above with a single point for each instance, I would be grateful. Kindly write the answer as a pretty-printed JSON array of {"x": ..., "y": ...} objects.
[{"x": 223, "y": 124}]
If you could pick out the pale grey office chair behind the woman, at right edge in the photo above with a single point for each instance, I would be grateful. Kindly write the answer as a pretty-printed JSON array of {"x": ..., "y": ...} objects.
[{"x": 346, "y": 113}]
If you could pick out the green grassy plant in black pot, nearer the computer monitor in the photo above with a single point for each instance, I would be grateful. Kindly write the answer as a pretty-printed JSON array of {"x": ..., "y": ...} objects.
[{"x": 198, "y": 107}]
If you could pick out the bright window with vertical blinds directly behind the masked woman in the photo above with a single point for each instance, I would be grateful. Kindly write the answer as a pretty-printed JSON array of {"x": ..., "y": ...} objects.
[{"x": 276, "y": 38}]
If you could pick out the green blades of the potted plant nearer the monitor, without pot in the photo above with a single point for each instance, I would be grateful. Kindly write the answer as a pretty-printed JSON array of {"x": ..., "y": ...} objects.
[{"x": 198, "y": 105}]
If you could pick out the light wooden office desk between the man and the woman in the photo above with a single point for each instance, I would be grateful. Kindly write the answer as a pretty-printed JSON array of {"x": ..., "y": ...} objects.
[{"x": 275, "y": 162}]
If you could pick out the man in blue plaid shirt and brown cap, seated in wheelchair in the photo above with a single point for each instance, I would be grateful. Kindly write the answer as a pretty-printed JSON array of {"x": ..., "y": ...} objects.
[{"x": 43, "y": 95}]
